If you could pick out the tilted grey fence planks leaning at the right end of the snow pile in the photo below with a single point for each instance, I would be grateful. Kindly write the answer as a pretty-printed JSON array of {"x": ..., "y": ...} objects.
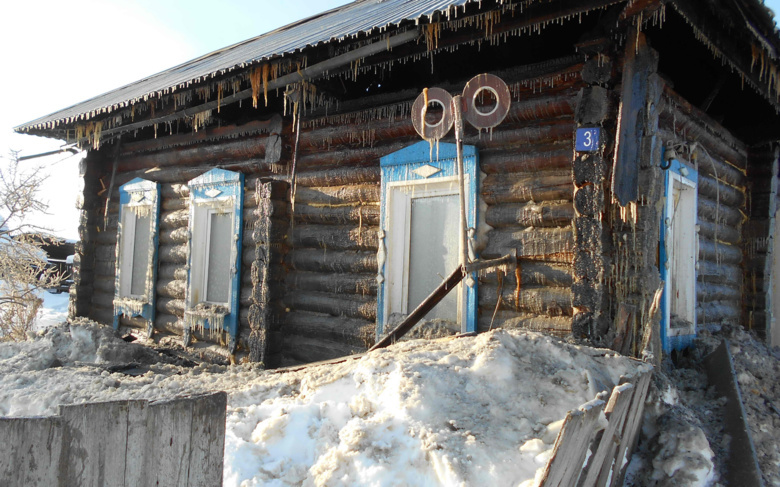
[{"x": 610, "y": 447}]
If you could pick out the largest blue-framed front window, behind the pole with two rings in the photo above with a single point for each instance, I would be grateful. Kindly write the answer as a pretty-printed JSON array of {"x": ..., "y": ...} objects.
[{"x": 420, "y": 234}]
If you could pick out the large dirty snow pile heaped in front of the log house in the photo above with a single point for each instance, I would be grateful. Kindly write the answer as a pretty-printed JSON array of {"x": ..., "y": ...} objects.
[{"x": 477, "y": 411}]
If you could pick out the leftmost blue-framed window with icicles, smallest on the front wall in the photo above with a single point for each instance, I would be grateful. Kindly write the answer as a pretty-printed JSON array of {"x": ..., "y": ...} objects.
[{"x": 136, "y": 266}]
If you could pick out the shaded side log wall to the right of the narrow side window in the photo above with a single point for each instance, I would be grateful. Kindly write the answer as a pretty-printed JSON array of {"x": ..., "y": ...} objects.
[{"x": 721, "y": 160}]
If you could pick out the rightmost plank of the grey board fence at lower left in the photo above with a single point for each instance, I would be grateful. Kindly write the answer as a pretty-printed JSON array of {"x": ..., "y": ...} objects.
[{"x": 207, "y": 440}]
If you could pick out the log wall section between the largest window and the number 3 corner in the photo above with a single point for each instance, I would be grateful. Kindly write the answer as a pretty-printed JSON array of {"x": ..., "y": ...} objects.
[{"x": 529, "y": 195}]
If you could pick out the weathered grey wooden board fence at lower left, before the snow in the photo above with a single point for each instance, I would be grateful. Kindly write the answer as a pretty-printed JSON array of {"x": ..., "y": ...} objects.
[{"x": 119, "y": 443}]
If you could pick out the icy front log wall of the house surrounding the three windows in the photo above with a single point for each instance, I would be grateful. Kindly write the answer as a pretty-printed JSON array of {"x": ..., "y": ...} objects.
[{"x": 325, "y": 288}]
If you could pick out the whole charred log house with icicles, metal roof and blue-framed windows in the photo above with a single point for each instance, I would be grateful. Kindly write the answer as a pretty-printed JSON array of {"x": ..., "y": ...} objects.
[{"x": 274, "y": 197}]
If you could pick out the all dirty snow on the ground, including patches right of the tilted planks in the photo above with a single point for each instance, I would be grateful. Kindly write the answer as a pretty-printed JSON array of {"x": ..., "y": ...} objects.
[{"x": 469, "y": 411}]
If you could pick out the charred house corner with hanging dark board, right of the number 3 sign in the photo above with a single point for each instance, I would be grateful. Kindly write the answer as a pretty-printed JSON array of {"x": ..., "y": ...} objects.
[{"x": 636, "y": 179}]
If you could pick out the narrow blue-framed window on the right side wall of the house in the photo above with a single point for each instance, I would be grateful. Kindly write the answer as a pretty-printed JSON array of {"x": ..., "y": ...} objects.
[{"x": 679, "y": 249}]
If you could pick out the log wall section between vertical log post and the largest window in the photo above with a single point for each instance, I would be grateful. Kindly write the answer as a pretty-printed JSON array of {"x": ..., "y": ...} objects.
[{"x": 331, "y": 284}]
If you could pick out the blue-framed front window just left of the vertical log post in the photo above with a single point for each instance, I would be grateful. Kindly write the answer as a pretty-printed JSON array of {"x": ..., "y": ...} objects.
[{"x": 214, "y": 263}]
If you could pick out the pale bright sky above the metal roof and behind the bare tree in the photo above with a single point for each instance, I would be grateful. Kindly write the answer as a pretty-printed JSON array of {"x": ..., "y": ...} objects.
[{"x": 57, "y": 53}]
